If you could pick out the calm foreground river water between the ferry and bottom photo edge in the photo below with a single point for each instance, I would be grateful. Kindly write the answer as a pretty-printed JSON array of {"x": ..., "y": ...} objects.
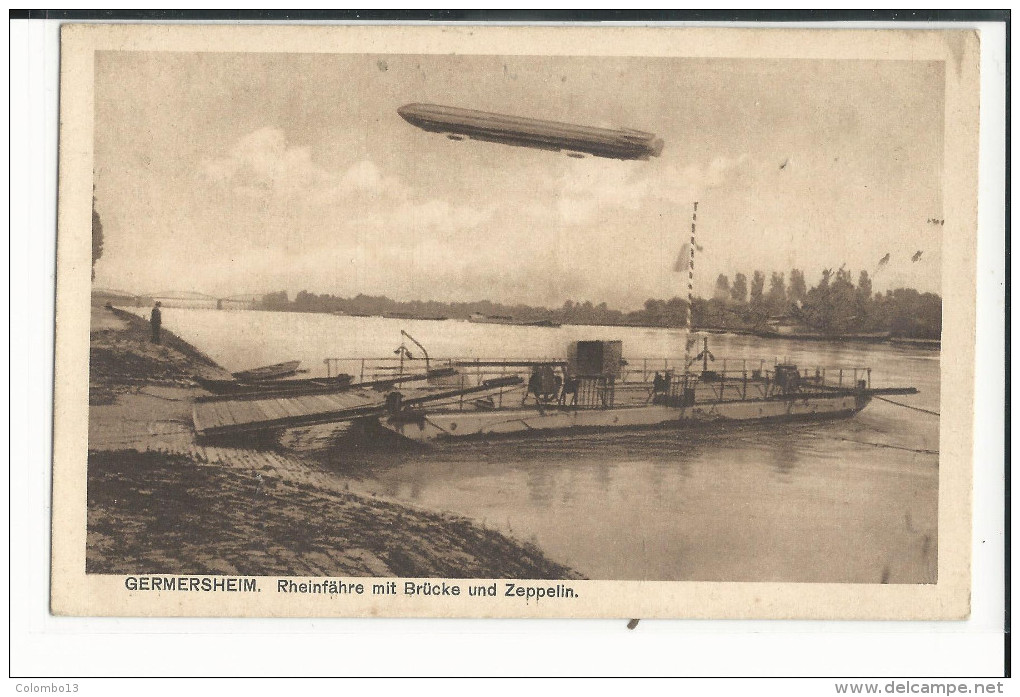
[{"x": 795, "y": 504}]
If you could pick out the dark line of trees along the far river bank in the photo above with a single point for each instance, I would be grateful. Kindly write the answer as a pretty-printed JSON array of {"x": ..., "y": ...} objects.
[{"x": 835, "y": 307}]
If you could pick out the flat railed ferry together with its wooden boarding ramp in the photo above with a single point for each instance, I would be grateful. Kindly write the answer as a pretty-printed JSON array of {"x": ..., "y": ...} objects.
[{"x": 595, "y": 388}]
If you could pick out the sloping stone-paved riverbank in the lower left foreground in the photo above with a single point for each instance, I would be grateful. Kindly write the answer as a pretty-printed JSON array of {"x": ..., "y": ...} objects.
[{"x": 160, "y": 503}]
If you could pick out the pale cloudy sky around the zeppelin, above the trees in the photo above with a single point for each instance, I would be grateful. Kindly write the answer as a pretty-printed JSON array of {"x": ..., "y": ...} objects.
[{"x": 235, "y": 174}]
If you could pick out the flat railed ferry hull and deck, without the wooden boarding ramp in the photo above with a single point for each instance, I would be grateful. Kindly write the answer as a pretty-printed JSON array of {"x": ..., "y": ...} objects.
[{"x": 590, "y": 392}]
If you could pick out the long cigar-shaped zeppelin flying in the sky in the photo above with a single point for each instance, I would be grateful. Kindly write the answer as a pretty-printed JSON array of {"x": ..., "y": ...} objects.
[{"x": 577, "y": 141}]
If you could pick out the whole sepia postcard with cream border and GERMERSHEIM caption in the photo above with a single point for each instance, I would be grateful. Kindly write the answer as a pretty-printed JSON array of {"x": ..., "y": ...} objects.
[{"x": 369, "y": 315}]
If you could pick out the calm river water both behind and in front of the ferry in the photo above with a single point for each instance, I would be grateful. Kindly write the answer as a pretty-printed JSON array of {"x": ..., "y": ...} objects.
[{"x": 852, "y": 501}]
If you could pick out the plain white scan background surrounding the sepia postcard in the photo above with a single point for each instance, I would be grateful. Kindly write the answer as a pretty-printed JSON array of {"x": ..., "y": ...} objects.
[{"x": 46, "y": 646}]
